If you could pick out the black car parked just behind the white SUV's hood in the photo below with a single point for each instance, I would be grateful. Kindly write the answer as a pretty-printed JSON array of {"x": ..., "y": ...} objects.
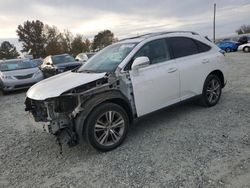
[{"x": 55, "y": 64}]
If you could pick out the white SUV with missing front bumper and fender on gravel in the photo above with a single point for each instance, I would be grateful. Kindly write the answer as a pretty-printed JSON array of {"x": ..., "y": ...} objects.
[{"x": 98, "y": 101}]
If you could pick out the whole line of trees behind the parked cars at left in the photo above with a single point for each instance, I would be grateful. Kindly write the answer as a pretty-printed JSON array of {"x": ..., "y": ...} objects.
[{"x": 41, "y": 40}]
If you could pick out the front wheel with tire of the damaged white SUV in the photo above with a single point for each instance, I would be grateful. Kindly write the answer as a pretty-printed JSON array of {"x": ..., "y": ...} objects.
[{"x": 100, "y": 131}]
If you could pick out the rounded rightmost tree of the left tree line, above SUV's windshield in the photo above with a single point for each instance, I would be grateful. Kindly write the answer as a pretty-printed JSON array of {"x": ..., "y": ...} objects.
[{"x": 102, "y": 39}]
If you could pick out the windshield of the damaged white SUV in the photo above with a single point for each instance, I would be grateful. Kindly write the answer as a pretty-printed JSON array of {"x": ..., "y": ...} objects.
[{"x": 108, "y": 59}]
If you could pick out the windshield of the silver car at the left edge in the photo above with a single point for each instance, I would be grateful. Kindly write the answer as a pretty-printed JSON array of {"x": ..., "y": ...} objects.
[{"x": 16, "y": 65}]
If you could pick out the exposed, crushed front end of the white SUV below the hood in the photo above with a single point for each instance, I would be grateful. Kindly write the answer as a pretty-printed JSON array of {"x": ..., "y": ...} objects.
[{"x": 57, "y": 112}]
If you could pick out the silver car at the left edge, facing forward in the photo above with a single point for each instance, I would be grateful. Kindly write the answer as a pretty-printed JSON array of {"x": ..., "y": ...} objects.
[{"x": 18, "y": 74}]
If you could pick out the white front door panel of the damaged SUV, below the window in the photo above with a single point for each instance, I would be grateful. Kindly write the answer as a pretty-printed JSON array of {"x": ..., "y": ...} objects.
[{"x": 156, "y": 86}]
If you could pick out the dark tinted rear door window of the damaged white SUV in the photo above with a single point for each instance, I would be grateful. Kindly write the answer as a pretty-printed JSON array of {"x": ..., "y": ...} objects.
[{"x": 183, "y": 46}]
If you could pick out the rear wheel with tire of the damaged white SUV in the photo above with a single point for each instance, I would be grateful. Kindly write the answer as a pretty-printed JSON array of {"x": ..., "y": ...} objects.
[{"x": 211, "y": 91}]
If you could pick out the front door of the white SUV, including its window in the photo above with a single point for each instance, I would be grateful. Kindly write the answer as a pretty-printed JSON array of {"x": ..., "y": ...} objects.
[{"x": 156, "y": 85}]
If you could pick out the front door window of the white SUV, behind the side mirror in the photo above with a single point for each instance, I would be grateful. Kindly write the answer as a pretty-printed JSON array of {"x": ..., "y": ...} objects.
[{"x": 157, "y": 51}]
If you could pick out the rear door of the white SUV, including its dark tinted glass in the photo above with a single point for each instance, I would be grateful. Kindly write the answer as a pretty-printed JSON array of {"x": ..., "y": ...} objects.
[{"x": 194, "y": 62}]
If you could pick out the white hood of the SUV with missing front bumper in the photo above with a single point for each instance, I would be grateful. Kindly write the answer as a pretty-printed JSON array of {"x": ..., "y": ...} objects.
[{"x": 56, "y": 85}]
